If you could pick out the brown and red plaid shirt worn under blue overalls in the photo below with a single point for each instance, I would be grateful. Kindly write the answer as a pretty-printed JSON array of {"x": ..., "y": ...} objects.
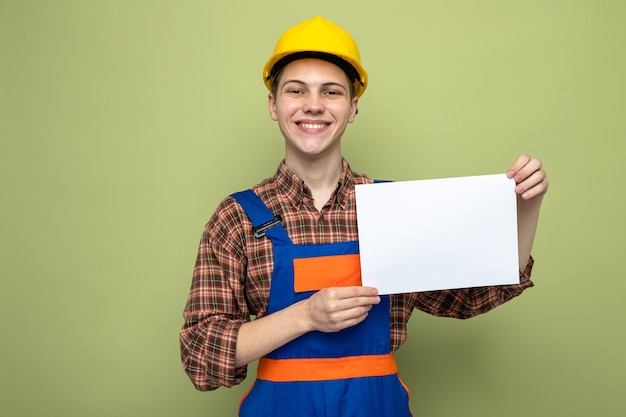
[{"x": 232, "y": 275}]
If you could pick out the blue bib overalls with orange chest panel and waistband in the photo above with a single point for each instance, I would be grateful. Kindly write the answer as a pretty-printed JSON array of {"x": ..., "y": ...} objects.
[{"x": 348, "y": 373}]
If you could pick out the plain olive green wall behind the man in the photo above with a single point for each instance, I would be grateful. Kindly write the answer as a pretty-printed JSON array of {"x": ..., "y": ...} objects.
[{"x": 123, "y": 123}]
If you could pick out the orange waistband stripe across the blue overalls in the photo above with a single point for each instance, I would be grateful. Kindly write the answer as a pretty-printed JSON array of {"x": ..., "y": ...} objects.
[{"x": 324, "y": 369}]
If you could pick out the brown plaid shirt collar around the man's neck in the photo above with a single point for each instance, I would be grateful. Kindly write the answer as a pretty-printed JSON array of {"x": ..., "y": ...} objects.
[{"x": 298, "y": 192}]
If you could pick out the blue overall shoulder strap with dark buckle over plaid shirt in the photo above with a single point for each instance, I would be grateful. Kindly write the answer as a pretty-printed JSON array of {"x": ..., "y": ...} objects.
[{"x": 264, "y": 222}]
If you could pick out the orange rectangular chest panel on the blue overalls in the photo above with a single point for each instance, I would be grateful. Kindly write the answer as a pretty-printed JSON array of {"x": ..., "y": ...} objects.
[{"x": 312, "y": 274}]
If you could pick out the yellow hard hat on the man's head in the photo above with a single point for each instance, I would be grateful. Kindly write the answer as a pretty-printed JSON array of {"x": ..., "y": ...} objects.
[{"x": 317, "y": 38}]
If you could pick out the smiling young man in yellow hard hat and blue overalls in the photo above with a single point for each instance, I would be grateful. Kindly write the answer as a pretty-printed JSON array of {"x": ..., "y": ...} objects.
[{"x": 286, "y": 251}]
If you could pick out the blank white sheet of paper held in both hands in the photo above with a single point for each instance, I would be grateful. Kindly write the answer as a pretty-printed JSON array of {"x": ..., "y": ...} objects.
[{"x": 438, "y": 234}]
